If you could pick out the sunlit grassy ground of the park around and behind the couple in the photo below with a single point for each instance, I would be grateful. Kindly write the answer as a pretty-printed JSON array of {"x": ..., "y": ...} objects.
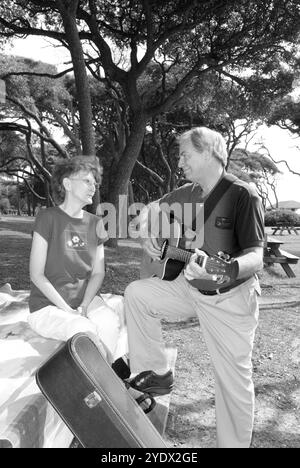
[{"x": 276, "y": 354}]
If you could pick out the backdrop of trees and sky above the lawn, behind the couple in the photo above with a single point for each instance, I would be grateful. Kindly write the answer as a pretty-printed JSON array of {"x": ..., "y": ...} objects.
[{"x": 121, "y": 80}]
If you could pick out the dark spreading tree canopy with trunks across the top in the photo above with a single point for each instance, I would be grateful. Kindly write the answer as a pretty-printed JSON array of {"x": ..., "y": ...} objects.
[{"x": 149, "y": 53}]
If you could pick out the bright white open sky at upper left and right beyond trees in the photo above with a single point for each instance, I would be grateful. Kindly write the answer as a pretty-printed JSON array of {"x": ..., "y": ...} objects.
[{"x": 280, "y": 143}]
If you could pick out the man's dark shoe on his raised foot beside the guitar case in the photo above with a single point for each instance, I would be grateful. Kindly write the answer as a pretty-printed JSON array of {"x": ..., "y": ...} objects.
[{"x": 150, "y": 382}]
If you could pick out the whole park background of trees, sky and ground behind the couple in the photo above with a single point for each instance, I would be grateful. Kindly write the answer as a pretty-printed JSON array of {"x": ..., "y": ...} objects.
[{"x": 135, "y": 74}]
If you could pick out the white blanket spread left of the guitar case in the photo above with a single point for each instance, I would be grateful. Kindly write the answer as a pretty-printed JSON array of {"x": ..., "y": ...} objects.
[{"x": 26, "y": 418}]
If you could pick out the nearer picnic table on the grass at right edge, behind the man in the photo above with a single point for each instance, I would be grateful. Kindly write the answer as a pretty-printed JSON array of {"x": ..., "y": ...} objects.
[{"x": 274, "y": 254}]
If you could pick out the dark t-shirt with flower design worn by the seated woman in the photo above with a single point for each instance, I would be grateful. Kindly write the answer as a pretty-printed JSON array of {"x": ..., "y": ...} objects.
[{"x": 72, "y": 244}]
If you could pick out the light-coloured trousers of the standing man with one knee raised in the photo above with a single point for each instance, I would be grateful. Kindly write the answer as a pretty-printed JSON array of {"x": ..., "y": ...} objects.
[{"x": 228, "y": 322}]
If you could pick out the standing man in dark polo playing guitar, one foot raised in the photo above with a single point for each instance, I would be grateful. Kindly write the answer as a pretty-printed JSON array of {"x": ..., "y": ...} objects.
[{"x": 222, "y": 294}]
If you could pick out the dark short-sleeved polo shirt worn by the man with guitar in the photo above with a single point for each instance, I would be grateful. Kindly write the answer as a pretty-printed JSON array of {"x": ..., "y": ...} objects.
[{"x": 236, "y": 223}]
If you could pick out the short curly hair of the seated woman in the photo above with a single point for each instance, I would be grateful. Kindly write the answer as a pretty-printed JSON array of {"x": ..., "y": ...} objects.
[{"x": 66, "y": 167}]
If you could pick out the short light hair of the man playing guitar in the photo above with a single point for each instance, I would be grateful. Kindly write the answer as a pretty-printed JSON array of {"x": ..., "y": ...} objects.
[{"x": 205, "y": 138}]
